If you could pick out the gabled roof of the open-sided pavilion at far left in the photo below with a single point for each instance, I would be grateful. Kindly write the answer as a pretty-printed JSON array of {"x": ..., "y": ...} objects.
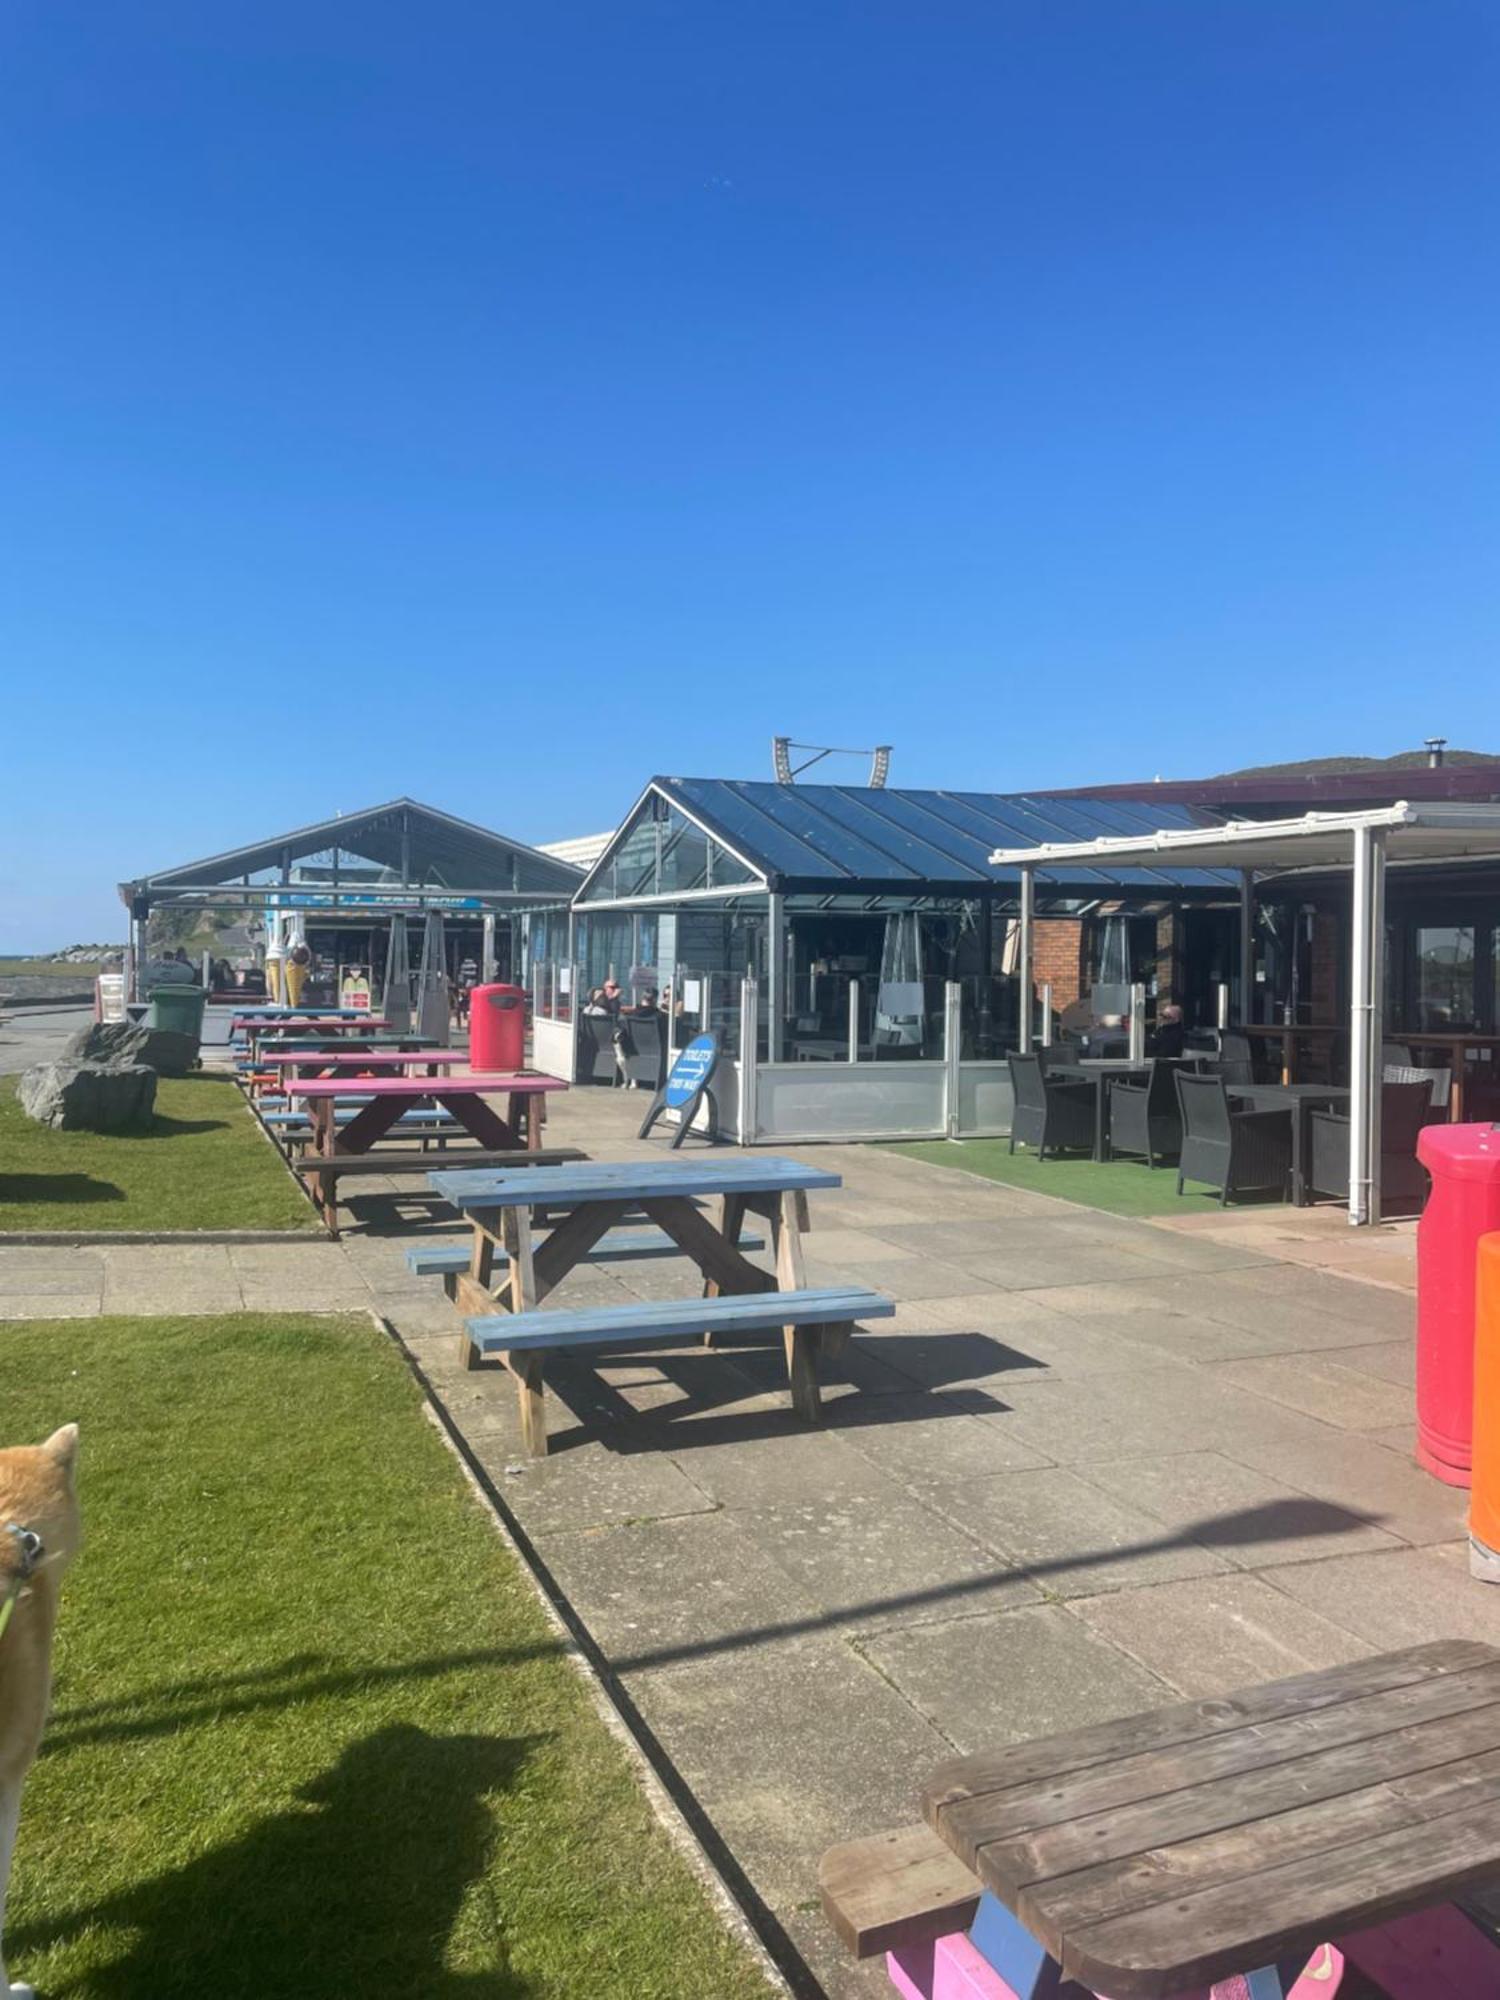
[{"x": 441, "y": 851}]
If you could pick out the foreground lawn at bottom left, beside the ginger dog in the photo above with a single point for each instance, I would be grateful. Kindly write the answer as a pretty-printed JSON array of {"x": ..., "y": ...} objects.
[{"x": 313, "y": 1735}]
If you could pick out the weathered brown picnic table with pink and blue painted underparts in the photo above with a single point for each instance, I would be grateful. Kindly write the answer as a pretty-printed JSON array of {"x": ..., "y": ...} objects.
[{"x": 1257, "y": 1847}]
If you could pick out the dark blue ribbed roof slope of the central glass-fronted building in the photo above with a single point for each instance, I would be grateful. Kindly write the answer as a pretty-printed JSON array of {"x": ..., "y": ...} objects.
[{"x": 821, "y": 837}]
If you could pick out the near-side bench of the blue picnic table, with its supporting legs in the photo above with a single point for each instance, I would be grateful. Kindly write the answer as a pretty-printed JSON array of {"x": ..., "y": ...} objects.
[{"x": 811, "y": 1323}]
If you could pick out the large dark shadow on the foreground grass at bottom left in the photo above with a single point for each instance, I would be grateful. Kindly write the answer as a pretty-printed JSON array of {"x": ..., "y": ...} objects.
[{"x": 355, "y": 1897}]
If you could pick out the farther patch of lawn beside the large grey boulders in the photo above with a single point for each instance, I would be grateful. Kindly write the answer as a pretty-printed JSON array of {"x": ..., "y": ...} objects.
[{"x": 205, "y": 1165}]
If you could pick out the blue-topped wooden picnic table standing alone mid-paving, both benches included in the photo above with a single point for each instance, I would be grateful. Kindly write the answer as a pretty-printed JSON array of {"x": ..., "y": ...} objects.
[{"x": 509, "y": 1273}]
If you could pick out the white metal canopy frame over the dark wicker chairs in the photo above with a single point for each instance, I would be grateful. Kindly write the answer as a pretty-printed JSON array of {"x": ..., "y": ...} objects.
[{"x": 1367, "y": 845}]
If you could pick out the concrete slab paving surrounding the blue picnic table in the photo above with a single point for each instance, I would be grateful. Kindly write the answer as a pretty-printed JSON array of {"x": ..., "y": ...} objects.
[{"x": 1091, "y": 1465}]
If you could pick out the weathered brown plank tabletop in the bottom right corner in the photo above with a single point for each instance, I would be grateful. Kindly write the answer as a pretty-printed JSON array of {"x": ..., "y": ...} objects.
[{"x": 1173, "y": 1849}]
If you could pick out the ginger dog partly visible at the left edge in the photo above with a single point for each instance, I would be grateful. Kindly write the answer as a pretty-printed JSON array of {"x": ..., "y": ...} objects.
[{"x": 39, "y": 1535}]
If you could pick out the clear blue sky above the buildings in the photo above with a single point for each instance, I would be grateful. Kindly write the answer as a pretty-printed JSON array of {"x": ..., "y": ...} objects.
[{"x": 505, "y": 403}]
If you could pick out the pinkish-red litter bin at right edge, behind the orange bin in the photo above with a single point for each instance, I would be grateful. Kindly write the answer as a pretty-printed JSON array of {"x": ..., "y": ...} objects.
[{"x": 1465, "y": 1205}]
